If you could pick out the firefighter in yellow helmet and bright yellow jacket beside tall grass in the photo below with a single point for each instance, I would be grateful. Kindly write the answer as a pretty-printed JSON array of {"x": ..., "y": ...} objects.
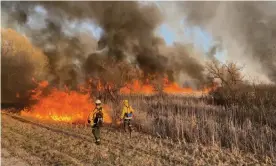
[{"x": 127, "y": 115}]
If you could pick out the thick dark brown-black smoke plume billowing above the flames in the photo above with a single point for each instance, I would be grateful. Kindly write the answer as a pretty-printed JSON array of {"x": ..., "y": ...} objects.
[{"x": 128, "y": 35}]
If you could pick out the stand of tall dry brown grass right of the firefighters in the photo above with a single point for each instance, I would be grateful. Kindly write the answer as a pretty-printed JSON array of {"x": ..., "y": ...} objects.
[{"x": 246, "y": 123}]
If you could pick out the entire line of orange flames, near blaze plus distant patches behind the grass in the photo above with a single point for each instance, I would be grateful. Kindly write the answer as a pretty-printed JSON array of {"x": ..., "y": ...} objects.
[{"x": 74, "y": 106}]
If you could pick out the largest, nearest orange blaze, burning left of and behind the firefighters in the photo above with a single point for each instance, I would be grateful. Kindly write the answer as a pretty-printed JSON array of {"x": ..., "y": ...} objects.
[{"x": 62, "y": 106}]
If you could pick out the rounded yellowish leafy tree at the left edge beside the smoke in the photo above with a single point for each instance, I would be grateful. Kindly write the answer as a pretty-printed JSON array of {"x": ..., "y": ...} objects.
[{"x": 20, "y": 63}]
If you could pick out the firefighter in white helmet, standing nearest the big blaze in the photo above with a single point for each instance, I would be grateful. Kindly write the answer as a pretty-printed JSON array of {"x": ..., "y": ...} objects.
[{"x": 95, "y": 119}]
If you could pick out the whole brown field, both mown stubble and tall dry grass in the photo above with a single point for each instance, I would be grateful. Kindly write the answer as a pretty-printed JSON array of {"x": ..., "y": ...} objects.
[{"x": 176, "y": 132}]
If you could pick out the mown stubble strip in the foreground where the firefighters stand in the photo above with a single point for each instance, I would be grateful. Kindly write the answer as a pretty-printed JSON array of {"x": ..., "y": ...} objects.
[{"x": 42, "y": 143}]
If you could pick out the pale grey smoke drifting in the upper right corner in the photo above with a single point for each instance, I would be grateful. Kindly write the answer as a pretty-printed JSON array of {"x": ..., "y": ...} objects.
[{"x": 246, "y": 29}]
